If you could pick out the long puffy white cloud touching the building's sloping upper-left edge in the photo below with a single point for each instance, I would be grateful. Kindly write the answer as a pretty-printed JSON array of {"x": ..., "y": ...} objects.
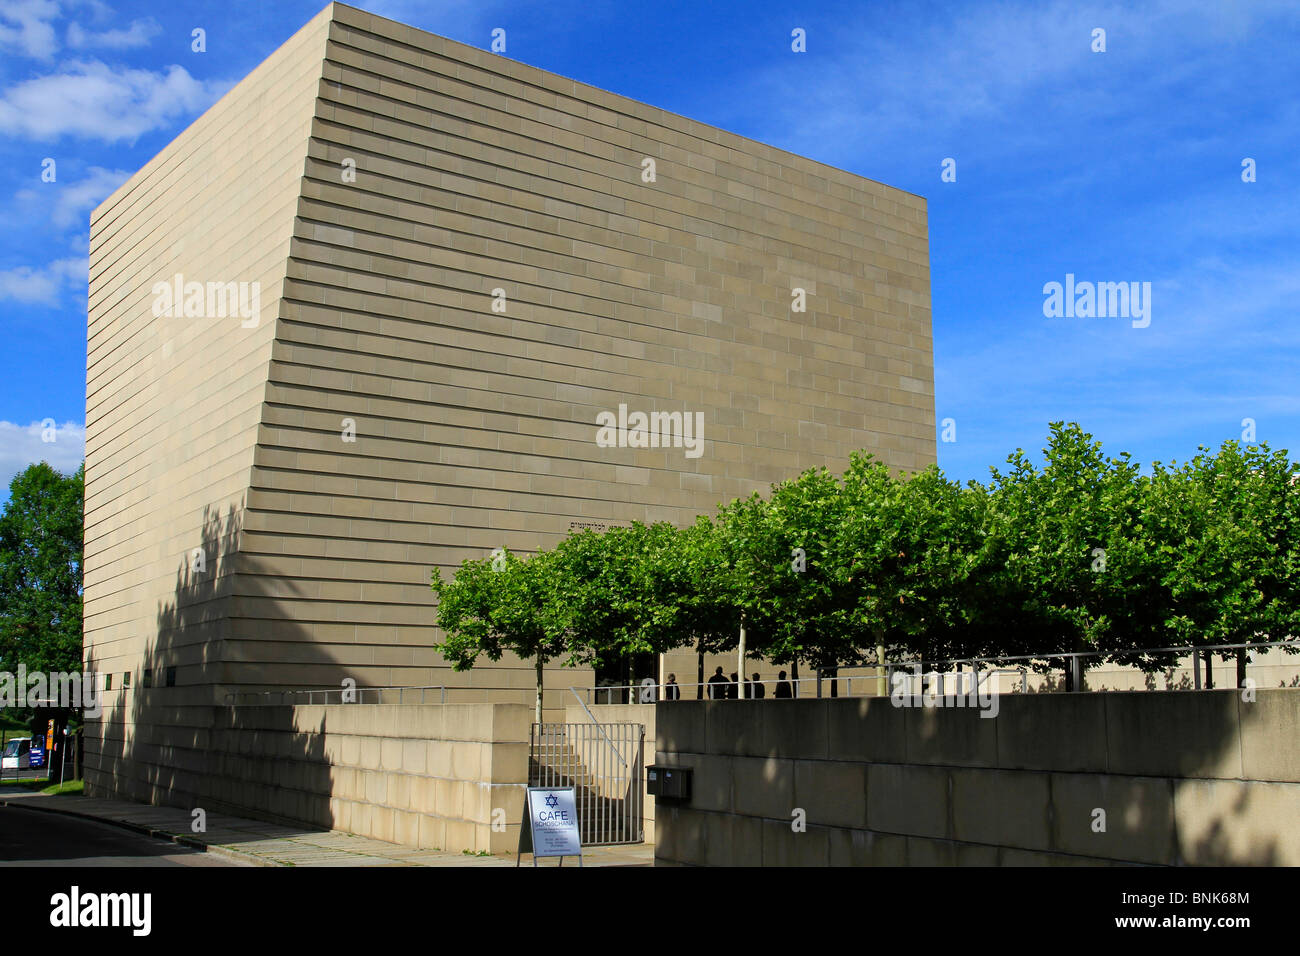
[{"x": 93, "y": 101}]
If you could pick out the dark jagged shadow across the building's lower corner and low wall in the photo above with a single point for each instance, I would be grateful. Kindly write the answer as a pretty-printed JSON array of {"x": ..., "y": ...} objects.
[{"x": 183, "y": 745}]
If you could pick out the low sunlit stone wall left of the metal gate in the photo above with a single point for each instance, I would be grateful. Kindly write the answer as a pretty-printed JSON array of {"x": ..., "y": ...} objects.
[{"x": 422, "y": 776}]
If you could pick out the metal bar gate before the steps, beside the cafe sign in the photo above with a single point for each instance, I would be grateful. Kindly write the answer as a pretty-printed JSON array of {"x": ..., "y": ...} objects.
[{"x": 603, "y": 763}]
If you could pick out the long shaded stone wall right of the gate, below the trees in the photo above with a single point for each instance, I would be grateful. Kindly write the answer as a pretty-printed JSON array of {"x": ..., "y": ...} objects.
[{"x": 1201, "y": 778}]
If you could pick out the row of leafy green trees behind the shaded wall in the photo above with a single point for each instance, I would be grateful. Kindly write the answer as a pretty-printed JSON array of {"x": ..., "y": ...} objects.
[{"x": 1086, "y": 553}]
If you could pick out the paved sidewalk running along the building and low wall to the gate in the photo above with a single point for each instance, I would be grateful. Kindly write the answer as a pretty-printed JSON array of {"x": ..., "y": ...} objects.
[{"x": 254, "y": 843}]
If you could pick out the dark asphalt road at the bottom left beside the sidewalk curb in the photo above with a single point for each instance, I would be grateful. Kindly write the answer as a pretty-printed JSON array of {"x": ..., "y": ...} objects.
[{"x": 36, "y": 838}]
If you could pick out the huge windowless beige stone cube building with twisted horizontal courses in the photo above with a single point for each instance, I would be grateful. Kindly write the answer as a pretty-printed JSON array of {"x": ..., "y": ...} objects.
[{"x": 361, "y": 321}]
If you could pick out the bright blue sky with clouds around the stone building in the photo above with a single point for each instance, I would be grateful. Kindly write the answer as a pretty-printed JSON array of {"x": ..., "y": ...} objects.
[{"x": 1115, "y": 167}]
